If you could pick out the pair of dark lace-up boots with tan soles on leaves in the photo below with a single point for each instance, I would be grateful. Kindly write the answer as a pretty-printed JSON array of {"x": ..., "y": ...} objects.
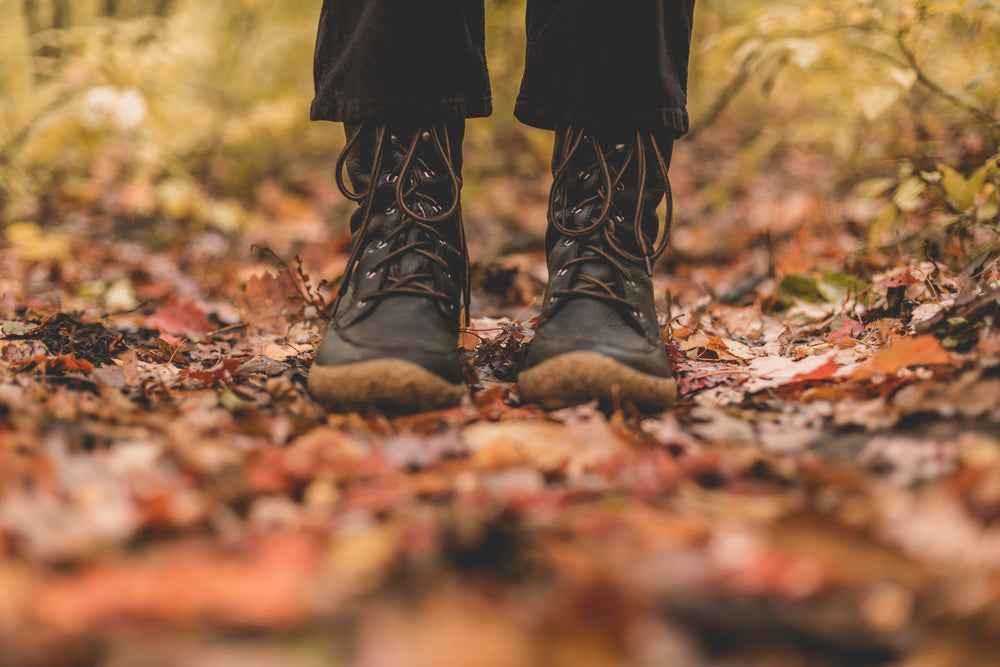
[{"x": 393, "y": 337}]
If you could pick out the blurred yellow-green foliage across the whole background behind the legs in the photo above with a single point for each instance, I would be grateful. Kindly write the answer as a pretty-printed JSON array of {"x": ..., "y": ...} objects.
[{"x": 182, "y": 104}]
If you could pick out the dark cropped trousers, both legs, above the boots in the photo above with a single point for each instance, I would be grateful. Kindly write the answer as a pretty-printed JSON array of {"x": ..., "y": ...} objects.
[{"x": 592, "y": 63}]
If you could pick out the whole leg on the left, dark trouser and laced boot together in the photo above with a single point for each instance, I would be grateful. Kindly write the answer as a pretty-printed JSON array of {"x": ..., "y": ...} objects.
[{"x": 402, "y": 76}]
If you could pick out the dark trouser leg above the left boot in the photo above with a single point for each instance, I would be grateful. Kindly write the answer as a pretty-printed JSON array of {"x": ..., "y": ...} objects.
[{"x": 384, "y": 60}]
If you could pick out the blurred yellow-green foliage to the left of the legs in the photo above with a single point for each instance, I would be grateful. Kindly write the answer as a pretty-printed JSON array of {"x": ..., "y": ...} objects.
[{"x": 181, "y": 95}]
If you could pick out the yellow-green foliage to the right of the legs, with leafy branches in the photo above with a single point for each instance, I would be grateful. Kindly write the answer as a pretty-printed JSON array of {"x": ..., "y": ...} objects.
[{"x": 905, "y": 91}]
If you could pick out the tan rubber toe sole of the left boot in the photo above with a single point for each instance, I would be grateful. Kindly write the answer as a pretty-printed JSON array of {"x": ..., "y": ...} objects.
[{"x": 393, "y": 383}]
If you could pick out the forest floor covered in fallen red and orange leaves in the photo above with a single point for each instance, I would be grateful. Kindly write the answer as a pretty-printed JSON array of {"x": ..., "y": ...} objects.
[{"x": 826, "y": 492}]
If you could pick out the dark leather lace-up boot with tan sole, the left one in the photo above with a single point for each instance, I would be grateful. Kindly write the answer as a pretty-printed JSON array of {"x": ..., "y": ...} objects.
[{"x": 392, "y": 339}]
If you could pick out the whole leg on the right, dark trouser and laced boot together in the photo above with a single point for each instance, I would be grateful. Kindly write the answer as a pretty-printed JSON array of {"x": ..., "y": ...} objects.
[{"x": 610, "y": 78}]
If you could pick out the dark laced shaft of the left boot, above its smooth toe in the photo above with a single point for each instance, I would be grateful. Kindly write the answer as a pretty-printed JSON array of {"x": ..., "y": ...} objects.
[{"x": 407, "y": 236}]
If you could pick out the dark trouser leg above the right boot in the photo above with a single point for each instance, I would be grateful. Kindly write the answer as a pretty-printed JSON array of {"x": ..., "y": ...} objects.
[{"x": 601, "y": 63}]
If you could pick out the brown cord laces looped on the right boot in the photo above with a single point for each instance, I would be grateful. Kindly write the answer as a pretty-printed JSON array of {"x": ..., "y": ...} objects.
[{"x": 606, "y": 219}]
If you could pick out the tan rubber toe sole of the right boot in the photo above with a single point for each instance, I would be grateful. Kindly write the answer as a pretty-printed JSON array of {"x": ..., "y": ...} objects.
[{"x": 578, "y": 377}]
